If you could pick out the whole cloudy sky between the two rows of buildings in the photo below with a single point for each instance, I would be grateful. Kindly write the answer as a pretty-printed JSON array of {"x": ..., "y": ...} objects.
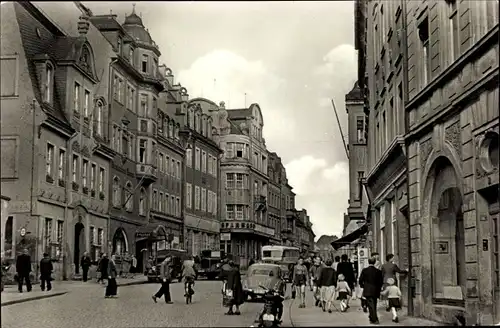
[{"x": 289, "y": 57}]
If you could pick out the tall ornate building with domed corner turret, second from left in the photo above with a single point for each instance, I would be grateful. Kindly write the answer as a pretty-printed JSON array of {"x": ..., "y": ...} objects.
[{"x": 146, "y": 182}]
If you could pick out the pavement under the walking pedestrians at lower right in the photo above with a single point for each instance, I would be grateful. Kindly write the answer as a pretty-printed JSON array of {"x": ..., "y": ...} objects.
[{"x": 314, "y": 316}]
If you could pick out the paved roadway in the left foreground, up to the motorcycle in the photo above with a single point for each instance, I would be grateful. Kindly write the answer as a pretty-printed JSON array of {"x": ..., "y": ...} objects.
[{"x": 134, "y": 307}]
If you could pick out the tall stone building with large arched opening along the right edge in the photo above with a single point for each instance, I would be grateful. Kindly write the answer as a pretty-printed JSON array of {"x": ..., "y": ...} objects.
[{"x": 449, "y": 85}]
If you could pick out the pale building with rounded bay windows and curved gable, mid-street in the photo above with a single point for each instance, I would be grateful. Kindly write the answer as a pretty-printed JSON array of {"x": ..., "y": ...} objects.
[{"x": 245, "y": 224}]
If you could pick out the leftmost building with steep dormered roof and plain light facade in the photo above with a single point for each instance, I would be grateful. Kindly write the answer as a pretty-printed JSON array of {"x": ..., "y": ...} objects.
[{"x": 55, "y": 162}]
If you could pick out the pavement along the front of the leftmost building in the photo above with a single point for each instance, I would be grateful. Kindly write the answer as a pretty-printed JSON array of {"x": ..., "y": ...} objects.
[{"x": 10, "y": 295}]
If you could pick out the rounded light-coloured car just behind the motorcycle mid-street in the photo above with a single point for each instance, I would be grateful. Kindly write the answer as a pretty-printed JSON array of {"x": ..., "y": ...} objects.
[{"x": 258, "y": 274}]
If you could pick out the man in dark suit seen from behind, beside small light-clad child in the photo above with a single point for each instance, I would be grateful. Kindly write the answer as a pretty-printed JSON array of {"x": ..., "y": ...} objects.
[{"x": 371, "y": 280}]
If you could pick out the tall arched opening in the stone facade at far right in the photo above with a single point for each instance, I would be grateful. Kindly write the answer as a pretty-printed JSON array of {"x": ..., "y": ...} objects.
[{"x": 447, "y": 234}]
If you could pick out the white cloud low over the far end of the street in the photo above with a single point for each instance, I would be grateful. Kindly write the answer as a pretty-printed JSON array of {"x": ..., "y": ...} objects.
[{"x": 321, "y": 189}]
